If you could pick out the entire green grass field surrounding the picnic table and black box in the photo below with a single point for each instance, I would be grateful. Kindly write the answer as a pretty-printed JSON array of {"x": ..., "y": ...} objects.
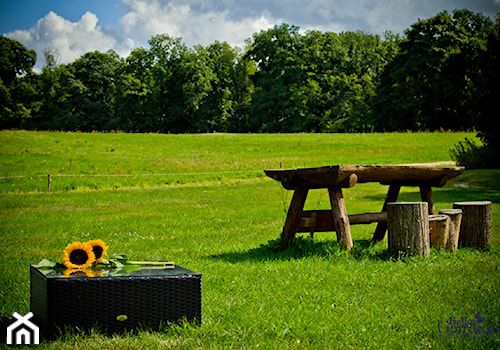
[{"x": 204, "y": 202}]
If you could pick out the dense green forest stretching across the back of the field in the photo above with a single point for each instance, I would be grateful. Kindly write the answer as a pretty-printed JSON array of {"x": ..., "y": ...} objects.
[{"x": 441, "y": 74}]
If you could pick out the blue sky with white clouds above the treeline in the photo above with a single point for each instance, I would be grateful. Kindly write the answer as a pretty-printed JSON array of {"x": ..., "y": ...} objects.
[{"x": 69, "y": 28}]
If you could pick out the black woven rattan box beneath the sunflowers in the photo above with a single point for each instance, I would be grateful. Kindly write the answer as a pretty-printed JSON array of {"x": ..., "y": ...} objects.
[{"x": 124, "y": 301}]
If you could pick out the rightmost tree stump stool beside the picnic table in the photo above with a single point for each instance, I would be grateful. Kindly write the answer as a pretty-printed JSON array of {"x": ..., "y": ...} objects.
[{"x": 475, "y": 228}]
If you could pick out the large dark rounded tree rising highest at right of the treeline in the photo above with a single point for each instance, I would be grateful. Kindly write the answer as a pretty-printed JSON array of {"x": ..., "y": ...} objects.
[{"x": 432, "y": 83}]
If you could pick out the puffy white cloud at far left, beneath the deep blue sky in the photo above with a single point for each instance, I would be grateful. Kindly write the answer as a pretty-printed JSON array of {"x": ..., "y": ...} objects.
[{"x": 69, "y": 40}]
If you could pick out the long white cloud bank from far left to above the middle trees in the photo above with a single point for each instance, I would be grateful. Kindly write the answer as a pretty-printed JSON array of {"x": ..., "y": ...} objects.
[{"x": 145, "y": 18}]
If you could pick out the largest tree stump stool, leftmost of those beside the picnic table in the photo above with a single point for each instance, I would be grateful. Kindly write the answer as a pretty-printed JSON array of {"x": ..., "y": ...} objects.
[{"x": 408, "y": 228}]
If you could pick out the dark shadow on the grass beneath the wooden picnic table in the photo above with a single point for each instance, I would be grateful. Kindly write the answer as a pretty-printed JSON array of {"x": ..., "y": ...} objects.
[{"x": 302, "y": 247}]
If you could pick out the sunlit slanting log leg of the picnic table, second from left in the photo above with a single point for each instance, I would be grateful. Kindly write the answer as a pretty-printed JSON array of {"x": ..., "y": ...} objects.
[{"x": 340, "y": 218}]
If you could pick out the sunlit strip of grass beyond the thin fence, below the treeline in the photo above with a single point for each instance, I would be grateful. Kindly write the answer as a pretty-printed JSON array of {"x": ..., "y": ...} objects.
[{"x": 86, "y": 161}]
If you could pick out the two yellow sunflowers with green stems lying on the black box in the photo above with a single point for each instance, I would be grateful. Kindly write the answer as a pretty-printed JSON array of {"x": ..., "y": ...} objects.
[{"x": 88, "y": 259}]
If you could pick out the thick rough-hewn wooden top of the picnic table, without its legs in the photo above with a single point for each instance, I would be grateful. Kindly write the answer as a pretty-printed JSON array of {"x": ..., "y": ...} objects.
[{"x": 339, "y": 175}]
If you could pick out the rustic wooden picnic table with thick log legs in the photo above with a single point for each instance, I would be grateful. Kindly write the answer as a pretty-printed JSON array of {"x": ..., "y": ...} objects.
[{"x": 334, "y": 178}]
